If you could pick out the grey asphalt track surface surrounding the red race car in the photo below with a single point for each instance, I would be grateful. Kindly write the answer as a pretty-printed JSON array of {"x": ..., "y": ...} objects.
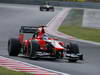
[{"x": 13, "y": 16}]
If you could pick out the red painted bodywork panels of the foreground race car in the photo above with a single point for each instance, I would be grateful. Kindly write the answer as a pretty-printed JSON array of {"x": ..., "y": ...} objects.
[{"x": 40, "y": 40}]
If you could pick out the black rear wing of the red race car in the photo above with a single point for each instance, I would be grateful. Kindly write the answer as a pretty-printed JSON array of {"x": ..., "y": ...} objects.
[{"x": 28, "y": 29}]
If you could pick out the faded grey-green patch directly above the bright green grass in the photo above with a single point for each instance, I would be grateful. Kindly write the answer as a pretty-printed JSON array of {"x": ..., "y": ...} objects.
[{"x": 74, "y": 17}]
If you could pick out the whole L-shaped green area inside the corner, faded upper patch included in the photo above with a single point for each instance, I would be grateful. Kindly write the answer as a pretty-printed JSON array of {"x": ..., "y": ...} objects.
[{"x": 72, "y": 25}]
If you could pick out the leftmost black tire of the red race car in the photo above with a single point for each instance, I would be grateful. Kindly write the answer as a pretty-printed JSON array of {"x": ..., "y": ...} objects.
[{"x": 13, "y": 47}]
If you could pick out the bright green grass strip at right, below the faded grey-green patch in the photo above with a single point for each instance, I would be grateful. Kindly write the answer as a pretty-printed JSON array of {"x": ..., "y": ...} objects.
[{"x": 81, "y": 32}]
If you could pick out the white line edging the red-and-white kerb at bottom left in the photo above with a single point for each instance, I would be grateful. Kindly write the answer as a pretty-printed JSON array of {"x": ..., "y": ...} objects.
[{"x": 31, "y": 65}]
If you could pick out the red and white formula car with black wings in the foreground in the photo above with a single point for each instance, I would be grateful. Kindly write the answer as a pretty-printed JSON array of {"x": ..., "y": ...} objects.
[{"x": 40, "y": 44}]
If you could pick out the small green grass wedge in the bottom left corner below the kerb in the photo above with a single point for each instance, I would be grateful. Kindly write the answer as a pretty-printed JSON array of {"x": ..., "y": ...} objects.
[{"x": 4, "y": 71}]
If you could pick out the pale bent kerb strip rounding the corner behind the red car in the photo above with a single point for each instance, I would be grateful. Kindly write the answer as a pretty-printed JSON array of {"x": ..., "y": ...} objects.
[{"x": 53, "y": 25}]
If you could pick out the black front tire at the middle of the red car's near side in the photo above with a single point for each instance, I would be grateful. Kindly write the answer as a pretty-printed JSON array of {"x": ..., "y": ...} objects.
[{"x": 33, "y": 48}]
